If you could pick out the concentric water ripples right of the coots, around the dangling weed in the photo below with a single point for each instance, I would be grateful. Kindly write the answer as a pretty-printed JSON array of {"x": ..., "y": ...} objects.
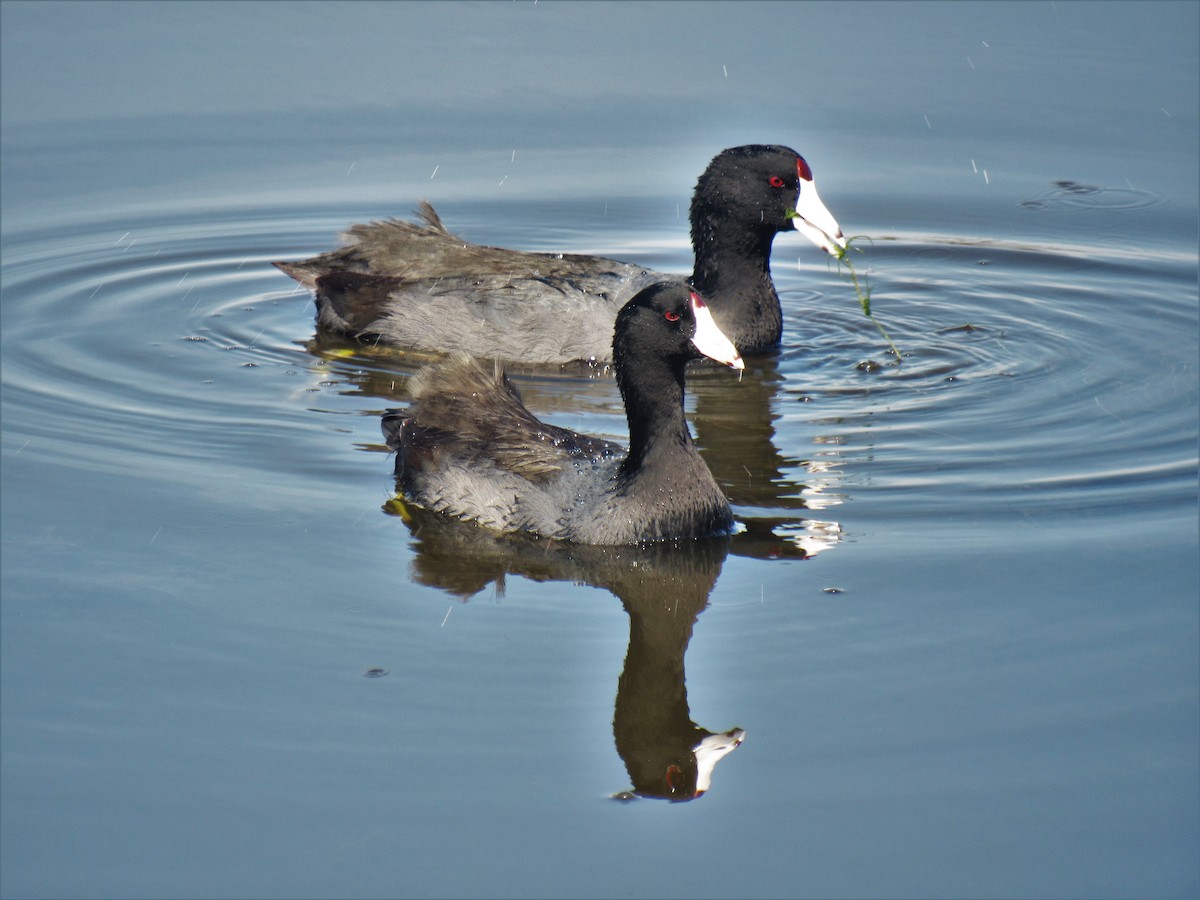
[{"x": 1016, "y": 357}]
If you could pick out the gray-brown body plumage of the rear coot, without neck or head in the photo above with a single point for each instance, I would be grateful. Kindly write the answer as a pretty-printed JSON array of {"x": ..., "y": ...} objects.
[{"x": 520, "y": 307}]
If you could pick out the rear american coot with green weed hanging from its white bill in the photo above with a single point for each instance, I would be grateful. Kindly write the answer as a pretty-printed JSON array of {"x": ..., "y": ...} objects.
[{"x": 419, "y": 287}]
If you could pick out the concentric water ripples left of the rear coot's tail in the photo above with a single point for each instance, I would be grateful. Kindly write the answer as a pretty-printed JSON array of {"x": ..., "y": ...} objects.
[{"x": 134, "y": 346}]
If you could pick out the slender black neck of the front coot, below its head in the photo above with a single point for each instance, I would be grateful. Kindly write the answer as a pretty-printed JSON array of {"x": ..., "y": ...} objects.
[{"x": 653, "y": 393}]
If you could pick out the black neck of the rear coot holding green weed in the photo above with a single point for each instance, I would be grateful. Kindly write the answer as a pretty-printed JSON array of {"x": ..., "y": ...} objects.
[{"x": 733, "y": 272}]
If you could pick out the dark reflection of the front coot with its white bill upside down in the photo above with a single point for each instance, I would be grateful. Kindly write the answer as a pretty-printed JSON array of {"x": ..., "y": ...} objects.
[{"x": 663, "y": 586}]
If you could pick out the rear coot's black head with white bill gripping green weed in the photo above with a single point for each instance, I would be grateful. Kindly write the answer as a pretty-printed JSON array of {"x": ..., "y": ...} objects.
[{"x": 764, "y": 188}]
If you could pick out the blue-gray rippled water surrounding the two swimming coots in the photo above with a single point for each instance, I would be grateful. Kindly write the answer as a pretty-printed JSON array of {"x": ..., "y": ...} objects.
[{"x": 961, "y": 629}]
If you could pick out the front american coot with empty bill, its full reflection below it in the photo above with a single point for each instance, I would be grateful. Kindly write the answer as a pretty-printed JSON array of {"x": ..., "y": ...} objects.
[{"x": 470, "y": 449}]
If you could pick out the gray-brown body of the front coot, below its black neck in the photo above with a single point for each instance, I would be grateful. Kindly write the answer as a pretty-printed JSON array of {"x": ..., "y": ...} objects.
[{"x": 470, "y": 449}]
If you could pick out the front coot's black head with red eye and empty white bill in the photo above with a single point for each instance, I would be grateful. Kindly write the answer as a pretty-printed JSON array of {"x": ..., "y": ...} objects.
[{"x": 671, "y": 322}]
